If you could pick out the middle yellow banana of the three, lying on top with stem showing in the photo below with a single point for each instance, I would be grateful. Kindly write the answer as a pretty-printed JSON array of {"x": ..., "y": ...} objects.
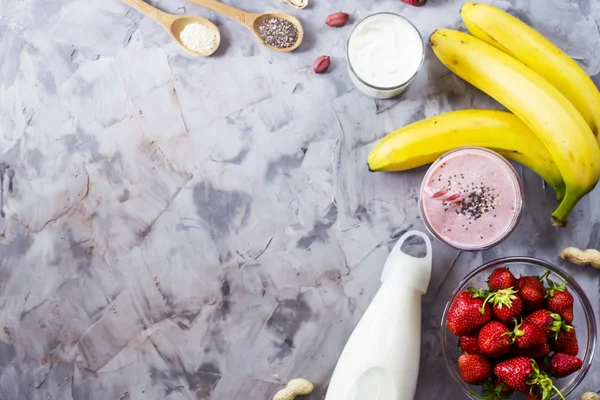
[{"x": 535, "y": 101}]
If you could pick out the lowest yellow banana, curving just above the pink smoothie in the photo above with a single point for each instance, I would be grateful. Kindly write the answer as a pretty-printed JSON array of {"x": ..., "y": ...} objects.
[{"x": 424, "y": 141}]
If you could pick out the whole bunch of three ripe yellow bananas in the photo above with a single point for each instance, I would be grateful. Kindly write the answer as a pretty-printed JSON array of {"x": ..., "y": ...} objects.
[{"x": 556, "y": 102}]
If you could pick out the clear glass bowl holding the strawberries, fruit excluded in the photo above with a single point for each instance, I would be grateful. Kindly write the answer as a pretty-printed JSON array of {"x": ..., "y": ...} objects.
[{"x": 584, "y": 322}]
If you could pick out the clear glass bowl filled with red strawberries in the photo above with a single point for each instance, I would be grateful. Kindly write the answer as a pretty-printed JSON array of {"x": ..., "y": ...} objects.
[{"x": 518, "y": 328}]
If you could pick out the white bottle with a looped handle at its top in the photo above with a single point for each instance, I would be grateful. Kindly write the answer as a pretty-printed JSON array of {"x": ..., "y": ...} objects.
[{"x": 381, "y": 359}]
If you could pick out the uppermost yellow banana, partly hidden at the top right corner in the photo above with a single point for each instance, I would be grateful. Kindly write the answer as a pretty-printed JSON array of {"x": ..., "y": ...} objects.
[{"x": 509, "y": 34}]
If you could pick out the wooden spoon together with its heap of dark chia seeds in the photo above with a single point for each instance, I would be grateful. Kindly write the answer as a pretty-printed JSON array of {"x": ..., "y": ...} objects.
[{"x": 268, "y": 21}]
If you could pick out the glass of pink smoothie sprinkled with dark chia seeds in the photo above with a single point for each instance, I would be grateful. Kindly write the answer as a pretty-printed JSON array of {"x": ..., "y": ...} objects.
[{"x": 471, "y": 198}]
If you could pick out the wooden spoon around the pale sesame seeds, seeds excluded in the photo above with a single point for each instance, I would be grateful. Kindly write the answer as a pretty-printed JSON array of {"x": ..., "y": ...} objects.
[{"x": 174, "y": 24}]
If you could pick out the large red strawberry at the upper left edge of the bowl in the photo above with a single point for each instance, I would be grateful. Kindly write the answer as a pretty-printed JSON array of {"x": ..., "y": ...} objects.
[{"x": 468, "y": 313}]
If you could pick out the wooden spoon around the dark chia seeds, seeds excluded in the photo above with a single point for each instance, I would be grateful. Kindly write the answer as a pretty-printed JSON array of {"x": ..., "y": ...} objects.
[{"x": 253, "y": 20}]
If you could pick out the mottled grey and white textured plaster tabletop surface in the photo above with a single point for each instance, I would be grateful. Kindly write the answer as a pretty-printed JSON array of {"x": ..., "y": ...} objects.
[{"x": 207, "y": 228}]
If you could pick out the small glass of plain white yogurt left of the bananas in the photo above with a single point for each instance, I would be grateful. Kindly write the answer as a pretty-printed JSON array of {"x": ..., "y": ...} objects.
[{"x": 384, "y": 52}]
